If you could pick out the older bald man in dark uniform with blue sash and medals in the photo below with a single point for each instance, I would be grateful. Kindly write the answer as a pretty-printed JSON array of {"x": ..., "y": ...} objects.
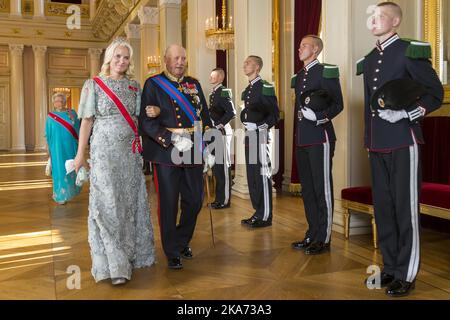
[{"x": 173, "y": 143}]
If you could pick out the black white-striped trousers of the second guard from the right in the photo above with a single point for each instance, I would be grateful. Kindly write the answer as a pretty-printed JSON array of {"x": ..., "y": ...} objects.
[{"x": 314, "y": 164}]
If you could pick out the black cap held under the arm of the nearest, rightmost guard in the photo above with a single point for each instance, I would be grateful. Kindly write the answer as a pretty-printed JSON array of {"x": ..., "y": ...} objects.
[{"x": 397, "y": 94}]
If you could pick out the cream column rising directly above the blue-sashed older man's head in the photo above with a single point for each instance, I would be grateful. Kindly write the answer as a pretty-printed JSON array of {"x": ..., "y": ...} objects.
[{"x": 170, "y": 23}]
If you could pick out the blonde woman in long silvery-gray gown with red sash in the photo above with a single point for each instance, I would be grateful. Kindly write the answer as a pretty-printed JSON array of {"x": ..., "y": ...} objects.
[{"x": 119, "y": 225}]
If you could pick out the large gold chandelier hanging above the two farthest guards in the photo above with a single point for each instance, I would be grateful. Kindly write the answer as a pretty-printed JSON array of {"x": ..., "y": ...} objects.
[{"x": 217, "y": 37}]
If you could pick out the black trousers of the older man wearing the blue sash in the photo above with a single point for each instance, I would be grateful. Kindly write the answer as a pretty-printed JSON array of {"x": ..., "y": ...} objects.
[{"x": 184, "y": 185}]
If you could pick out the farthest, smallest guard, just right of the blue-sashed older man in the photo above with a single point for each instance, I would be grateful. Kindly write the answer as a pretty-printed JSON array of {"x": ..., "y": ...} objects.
[{"x": 222, "y": 111}]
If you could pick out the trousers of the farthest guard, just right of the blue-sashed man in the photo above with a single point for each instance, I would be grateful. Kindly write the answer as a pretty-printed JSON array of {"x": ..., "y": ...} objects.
[{"x": 222, "y": 172}]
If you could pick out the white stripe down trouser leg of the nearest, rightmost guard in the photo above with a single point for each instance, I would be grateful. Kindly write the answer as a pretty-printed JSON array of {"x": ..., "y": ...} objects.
[{"x": 415, "y": 250}]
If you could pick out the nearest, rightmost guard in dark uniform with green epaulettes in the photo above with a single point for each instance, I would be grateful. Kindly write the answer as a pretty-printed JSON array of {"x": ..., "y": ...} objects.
[{"x": 392, "y": 138}]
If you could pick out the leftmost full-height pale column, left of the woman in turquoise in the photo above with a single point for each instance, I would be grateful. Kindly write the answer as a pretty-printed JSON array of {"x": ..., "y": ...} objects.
[{"x": 17, "y": 98}]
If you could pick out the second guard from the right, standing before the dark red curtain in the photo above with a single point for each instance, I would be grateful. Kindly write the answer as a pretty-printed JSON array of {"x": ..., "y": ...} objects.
[{"x": 315, "y": 142}]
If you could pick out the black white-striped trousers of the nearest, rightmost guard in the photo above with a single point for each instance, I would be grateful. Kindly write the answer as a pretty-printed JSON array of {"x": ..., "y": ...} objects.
[{"x": 396, "y": 182}]
